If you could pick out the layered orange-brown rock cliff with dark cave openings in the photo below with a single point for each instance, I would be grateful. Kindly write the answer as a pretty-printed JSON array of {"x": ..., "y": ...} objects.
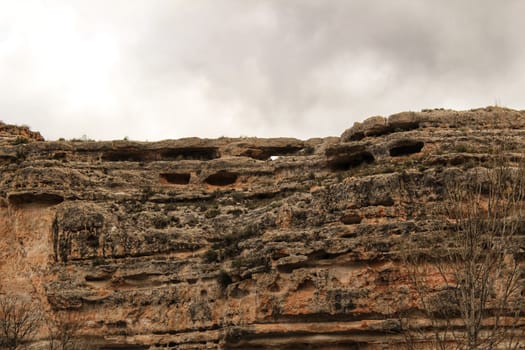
[{"x": 233, "y": 243}]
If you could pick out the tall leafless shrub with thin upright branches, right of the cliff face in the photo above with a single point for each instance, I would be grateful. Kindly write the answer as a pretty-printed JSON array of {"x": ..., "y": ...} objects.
[{"x": 466, "y": 283}]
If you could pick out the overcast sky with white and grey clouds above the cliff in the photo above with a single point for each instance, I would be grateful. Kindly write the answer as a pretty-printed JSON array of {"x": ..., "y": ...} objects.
[{"x": 156, "y": 69}]
